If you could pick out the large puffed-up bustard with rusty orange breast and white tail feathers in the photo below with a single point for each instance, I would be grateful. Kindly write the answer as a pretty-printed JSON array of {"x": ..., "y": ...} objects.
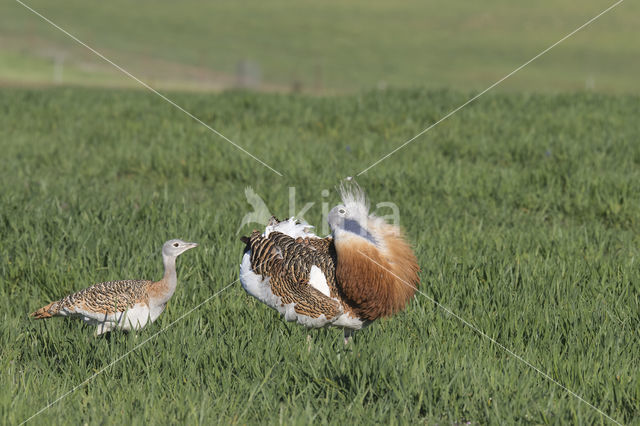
[{"x": 364, "y": 271}]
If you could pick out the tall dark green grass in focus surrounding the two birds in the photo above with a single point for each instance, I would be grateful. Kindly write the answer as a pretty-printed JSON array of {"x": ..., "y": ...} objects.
[{"x": 523, "y": 209}]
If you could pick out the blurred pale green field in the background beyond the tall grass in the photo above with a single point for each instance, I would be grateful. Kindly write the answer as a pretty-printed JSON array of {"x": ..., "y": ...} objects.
[{"x": 329, "y": 46}]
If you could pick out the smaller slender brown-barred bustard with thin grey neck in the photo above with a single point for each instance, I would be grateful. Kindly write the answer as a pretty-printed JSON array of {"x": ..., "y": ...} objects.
[{"x": 128, "y": 304}]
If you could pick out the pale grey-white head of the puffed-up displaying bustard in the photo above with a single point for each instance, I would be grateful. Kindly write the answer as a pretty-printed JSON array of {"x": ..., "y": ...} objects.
[{"x": 351, "y": 218}]
